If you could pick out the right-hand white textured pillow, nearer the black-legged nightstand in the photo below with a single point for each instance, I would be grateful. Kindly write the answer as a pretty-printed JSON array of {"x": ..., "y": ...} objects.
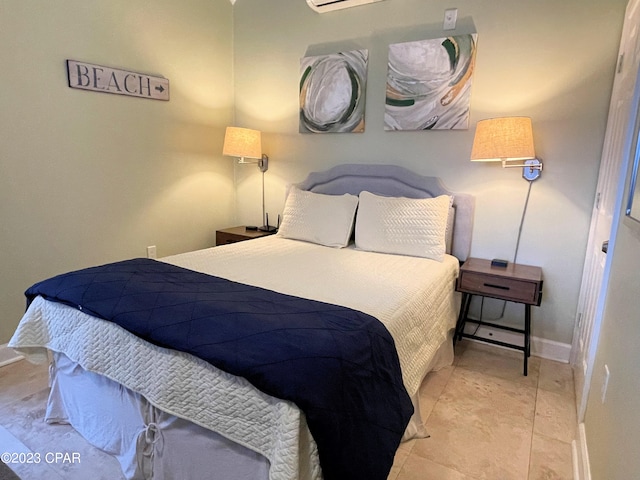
[{"x": 404, "y": 226}]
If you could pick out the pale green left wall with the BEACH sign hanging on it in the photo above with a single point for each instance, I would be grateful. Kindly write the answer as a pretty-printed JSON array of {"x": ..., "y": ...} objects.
[{"x": 87, "y": 178}]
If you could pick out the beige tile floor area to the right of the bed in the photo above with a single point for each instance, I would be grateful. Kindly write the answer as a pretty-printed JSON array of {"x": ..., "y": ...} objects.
[{"x": 488, "y": 421}]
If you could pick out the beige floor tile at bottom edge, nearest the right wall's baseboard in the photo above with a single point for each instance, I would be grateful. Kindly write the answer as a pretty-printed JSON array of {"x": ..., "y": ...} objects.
[{"x": 550, "y": 459}]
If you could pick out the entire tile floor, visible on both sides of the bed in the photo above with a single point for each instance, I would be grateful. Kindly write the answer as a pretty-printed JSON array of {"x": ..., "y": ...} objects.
[{"x": 485, "y": 420}]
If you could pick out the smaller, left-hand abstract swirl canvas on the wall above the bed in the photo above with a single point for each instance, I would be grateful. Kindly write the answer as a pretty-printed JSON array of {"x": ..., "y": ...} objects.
[{"x": 332, "y": 92}]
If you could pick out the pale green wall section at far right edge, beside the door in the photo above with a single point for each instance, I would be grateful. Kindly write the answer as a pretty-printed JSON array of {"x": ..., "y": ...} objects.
[{"x": 611, "y": 427}]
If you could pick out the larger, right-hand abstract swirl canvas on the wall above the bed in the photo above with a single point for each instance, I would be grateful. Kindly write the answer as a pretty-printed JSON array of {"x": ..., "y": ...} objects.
[{"x": 429, "y": 83}]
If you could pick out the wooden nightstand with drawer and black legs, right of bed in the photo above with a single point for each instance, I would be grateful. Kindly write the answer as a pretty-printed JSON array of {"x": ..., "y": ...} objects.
[{"x": 514, "y": 283}]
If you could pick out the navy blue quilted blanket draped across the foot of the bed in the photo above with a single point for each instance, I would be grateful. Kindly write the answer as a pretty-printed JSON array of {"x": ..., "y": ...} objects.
[{"x": 338, "y": 365}]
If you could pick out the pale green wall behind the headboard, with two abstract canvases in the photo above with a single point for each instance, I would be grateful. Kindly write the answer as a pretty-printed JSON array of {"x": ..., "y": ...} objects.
[{"x": 553, "y": 61}]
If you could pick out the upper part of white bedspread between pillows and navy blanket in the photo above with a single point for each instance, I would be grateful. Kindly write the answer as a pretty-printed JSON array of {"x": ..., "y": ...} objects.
[{"x": 411, "y": 296}]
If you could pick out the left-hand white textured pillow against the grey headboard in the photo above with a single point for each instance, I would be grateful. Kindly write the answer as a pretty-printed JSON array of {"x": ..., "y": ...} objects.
[{"x": 314, "y": 217}]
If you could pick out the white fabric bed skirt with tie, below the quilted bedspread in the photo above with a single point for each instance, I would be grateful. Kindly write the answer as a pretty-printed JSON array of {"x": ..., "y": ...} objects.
[{"x": 147, "y": 442}]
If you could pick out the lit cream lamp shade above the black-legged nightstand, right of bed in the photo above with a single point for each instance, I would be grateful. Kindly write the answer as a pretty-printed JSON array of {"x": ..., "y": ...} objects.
[{"x": 503, "y": 139}]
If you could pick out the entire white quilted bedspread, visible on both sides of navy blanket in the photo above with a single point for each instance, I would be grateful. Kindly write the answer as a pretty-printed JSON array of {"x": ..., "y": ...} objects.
[{"x": 411, "y": 296}]
